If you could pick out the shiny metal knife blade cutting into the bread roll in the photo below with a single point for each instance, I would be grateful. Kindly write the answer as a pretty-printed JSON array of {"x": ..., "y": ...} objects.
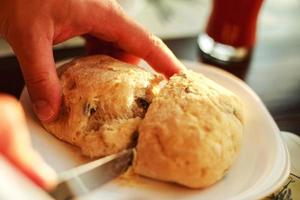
[{"x": 85, "y": 178}]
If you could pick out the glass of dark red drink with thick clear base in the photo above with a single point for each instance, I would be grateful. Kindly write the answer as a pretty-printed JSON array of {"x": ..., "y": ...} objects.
[{"x": 231, "y": 29}]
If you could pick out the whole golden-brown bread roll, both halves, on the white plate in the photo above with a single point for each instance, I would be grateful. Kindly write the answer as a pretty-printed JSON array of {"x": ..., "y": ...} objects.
[{"x": 191, "y": 134}]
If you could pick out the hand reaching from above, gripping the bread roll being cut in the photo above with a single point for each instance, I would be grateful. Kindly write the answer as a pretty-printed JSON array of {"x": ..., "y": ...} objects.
[{"x": 32, "y": 26}]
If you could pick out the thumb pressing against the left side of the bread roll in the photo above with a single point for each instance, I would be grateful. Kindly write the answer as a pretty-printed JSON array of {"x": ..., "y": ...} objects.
[{"x": 38, "y": 68}]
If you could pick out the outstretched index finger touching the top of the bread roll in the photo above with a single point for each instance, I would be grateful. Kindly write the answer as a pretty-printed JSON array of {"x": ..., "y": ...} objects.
[{"x": 133, "y": 38}]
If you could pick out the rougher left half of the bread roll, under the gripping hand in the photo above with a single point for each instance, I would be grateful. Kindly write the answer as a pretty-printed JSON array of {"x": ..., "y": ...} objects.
[{"x": 103, "y": 103}]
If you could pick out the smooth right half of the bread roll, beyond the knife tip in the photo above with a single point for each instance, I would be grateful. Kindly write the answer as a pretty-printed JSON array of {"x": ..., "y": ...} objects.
[{"x": 191, "y": 133}]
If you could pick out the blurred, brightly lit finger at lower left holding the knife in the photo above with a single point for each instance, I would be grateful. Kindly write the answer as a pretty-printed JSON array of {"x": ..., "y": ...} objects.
[{"x": 15, "y": 144}]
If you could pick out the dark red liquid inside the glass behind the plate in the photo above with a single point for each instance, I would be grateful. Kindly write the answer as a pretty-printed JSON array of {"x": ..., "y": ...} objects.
[{"x": 233, "y": 22}]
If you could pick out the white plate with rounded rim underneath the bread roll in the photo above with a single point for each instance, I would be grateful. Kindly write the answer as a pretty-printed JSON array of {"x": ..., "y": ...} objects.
[{"x": 262, "y": 167}]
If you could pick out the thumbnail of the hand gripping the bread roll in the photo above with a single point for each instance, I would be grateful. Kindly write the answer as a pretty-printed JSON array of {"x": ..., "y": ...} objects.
[{"x": 43, "y": 110}]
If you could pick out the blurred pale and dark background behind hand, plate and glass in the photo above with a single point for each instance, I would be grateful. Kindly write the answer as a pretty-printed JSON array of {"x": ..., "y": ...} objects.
[{"x": 273, "y": 71}]
